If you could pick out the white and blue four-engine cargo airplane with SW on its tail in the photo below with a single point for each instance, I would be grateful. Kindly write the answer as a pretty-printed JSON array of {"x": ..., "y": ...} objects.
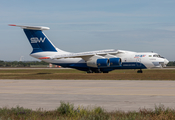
[{"x": 101, "y": 61}]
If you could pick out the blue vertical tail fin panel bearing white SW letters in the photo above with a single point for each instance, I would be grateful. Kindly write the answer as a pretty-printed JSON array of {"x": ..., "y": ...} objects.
[{"x": 39, "y": 41}]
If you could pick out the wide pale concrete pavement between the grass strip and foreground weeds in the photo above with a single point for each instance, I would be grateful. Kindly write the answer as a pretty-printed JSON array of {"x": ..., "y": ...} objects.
[{"x": 126, "y": 95}]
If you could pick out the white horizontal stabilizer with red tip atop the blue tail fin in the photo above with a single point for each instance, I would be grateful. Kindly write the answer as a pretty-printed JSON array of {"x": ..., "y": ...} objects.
[{"x": 31, "y": 27}]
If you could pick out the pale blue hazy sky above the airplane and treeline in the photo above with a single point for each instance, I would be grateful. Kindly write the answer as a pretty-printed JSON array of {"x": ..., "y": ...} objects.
[{"x": 87, "y": 25}]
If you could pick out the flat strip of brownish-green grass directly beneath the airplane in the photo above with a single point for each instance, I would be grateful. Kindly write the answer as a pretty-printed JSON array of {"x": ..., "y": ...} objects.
[{"x": 71, "y": 74}]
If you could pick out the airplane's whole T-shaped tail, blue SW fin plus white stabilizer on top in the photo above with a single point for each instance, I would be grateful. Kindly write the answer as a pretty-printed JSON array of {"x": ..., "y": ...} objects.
[{"x": 38, "y": 40}]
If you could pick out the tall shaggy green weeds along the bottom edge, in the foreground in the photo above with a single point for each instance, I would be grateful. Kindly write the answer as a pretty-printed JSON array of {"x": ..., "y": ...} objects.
[{"x": 67, "y": 111}]
